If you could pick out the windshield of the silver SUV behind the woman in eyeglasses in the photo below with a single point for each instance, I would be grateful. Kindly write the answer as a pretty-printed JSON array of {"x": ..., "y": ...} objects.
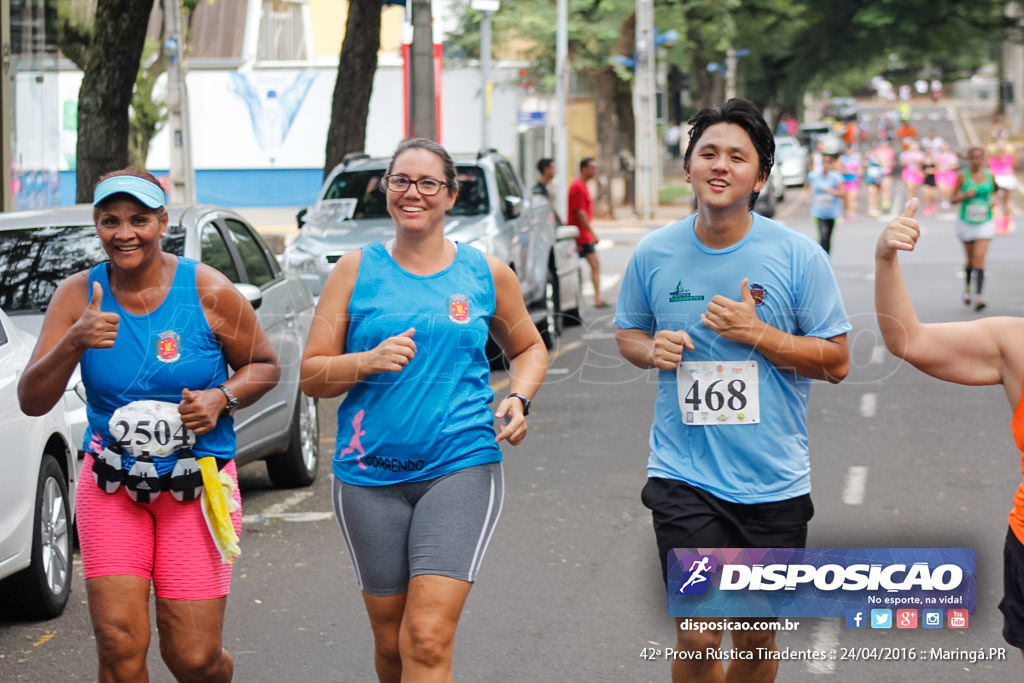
[{"x": 365, "y": 187}]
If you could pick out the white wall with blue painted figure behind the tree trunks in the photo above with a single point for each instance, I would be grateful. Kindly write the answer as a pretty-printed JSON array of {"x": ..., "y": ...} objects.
[{"x": 279, "y": 118}]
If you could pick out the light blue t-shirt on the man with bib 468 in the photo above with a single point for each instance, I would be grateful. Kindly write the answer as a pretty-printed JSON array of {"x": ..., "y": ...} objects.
[{"x": 671, "y": 280}]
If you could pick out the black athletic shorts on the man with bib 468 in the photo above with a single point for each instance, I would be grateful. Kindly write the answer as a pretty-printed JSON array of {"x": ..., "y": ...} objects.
[{"x": 690, "y": 518}]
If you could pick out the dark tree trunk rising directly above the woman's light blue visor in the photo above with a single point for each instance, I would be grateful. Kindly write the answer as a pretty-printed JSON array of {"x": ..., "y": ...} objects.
[{"x": 108, "y": 80}]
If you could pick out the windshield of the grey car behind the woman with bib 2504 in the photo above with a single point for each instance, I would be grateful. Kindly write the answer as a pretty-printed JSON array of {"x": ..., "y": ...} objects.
[{"x": 33, "y": 262}]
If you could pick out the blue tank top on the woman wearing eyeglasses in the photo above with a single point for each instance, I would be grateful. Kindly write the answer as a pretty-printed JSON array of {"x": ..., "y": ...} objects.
[{"x": 432, "y": 418}]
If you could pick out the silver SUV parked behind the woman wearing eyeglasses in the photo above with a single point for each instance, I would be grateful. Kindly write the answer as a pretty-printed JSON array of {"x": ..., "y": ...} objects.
[{"x": 494, "y": 212}]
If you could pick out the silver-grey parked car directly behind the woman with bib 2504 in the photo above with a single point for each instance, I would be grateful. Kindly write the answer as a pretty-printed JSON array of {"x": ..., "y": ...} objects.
[{"x": 38, "y": 249}]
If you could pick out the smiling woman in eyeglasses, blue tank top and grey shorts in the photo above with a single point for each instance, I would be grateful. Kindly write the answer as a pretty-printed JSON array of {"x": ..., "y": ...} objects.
[{"x": 401, "y": 329}]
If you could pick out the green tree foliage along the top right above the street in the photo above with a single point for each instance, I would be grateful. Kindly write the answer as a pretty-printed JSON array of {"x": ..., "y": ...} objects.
[{"x": 795, "y": 46}]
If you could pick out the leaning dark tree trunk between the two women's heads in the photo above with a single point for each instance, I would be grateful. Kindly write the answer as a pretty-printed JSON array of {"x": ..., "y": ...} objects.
[{"x": 355, "y": 84}]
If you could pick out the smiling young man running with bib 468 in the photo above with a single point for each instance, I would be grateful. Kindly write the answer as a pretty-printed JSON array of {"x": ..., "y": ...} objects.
[{"x": 730, "y": 289}]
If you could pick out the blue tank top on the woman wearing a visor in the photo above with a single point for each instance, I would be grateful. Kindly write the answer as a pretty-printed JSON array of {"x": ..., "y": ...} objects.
[{"x": 155, "y": 358}]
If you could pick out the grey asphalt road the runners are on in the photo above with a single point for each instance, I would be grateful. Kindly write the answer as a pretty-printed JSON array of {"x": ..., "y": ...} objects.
[{"x": 571, "y": 588}]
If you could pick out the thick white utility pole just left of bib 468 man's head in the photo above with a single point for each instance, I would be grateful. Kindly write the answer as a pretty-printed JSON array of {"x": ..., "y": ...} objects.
[{"x": 648, "y": 178}]
